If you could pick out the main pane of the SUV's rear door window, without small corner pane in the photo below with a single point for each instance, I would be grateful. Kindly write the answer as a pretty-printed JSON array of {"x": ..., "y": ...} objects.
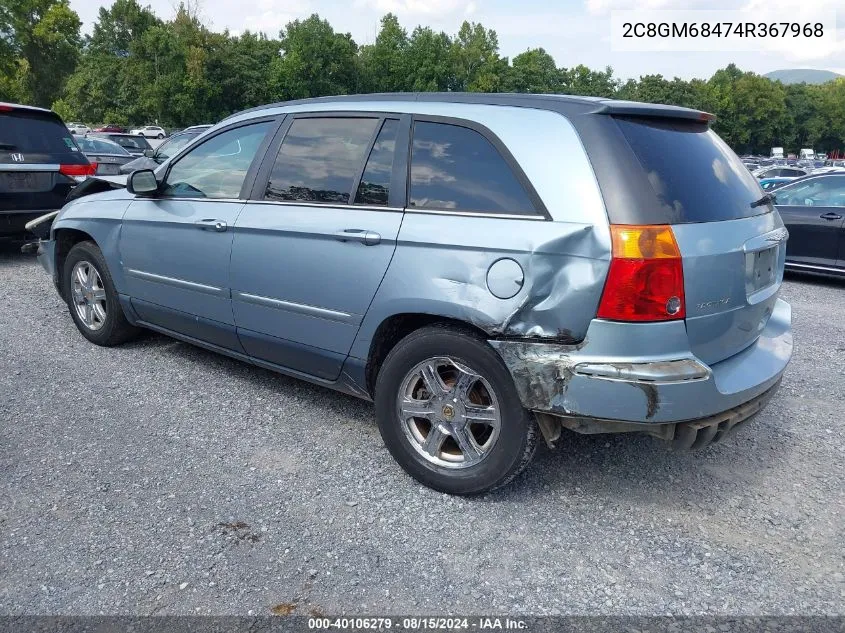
[{"x": 320, "y": 159}]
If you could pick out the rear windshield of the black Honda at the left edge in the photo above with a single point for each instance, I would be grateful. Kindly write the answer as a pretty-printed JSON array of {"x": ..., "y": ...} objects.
[{"x": 34, "y": 133}]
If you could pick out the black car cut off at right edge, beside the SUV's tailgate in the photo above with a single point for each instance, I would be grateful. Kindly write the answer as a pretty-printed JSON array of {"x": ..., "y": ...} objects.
[{"x": 813, "y": 210}]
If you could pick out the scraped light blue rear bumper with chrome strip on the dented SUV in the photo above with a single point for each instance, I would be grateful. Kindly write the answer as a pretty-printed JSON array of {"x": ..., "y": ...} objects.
[{"x": 644, "y": 374}]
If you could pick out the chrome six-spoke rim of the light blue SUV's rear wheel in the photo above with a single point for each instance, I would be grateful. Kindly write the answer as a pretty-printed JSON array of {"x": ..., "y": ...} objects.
[{"x": 449, "y": 413}]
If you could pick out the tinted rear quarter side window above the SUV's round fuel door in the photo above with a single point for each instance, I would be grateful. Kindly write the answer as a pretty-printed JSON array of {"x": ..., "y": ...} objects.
[{"x": 454, "y": 168}]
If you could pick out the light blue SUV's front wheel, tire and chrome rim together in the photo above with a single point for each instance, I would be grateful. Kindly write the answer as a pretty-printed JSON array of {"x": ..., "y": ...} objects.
[{"x": 92, "y": 299}]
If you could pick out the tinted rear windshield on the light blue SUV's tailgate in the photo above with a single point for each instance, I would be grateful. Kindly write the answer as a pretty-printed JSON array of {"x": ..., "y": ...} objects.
[{"x": 695, "y": 175}]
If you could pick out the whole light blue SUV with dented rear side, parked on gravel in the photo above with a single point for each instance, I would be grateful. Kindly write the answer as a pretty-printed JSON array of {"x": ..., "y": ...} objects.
[{"x": 489, "y": 269}]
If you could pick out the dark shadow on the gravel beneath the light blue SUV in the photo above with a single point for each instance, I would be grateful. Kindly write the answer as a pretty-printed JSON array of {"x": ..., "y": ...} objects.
[{"x": 608, "y": 468}]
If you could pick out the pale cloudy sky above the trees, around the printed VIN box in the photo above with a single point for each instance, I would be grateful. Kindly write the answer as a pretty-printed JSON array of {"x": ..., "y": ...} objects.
[{"x": 572, "y": 31}]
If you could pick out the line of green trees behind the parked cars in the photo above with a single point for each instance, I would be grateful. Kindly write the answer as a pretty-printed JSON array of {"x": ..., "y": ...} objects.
[{"x": 136, "y": 68}]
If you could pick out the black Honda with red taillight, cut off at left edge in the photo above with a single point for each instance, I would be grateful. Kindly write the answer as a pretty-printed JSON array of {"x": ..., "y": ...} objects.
[{"x": 39, "y": 164}]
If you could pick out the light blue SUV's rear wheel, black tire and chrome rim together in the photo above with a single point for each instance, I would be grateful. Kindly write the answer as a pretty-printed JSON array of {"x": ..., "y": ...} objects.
[{"x": 449, "y": 413}]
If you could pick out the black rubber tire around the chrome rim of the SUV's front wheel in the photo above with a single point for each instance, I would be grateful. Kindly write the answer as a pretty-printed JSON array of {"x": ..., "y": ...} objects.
[{"x": 114, "y": 329}]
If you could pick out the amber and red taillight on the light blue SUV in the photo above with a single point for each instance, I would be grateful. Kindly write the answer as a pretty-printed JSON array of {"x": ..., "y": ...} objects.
[{"x": 646, "y": 277}]
